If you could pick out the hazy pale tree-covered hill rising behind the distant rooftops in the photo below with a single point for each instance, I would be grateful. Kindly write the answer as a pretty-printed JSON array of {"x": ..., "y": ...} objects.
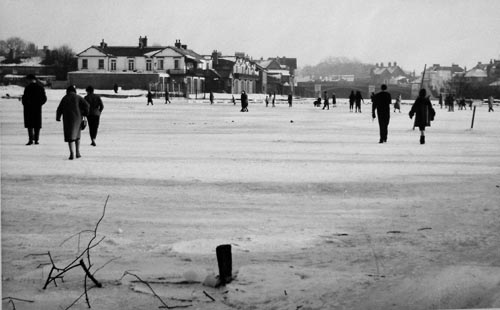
[{"x": 337, "y": 66}]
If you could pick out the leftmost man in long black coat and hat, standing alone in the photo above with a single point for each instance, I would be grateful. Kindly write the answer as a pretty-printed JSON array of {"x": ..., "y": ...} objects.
[{"x": 33, "y": 99}]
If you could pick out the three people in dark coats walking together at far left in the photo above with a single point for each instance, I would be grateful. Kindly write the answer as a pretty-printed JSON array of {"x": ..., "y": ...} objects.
[{"x": 73, "y": 109}]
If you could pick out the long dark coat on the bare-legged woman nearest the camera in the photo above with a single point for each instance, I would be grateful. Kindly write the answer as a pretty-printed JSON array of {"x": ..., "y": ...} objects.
[{"x": 72, "y": 108}]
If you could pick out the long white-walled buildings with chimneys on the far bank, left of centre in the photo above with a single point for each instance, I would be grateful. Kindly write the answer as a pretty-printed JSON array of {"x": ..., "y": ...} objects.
[{"x": 180, "y": 70}]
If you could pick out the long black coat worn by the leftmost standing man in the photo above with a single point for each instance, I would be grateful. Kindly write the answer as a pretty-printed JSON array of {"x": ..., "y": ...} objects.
[{"x": 33, "y": 99}]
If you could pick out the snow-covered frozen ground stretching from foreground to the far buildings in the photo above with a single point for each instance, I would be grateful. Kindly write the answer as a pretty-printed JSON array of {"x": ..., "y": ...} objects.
[{"x": 319, "y": 215}]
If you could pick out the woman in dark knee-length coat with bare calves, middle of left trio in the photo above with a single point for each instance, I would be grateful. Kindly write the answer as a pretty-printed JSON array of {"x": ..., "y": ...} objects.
[{"x": 72, "y": 108}]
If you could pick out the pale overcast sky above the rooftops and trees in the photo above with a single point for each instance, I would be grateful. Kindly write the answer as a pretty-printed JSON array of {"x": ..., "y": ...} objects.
[{"x": 411, "y": 32}]
